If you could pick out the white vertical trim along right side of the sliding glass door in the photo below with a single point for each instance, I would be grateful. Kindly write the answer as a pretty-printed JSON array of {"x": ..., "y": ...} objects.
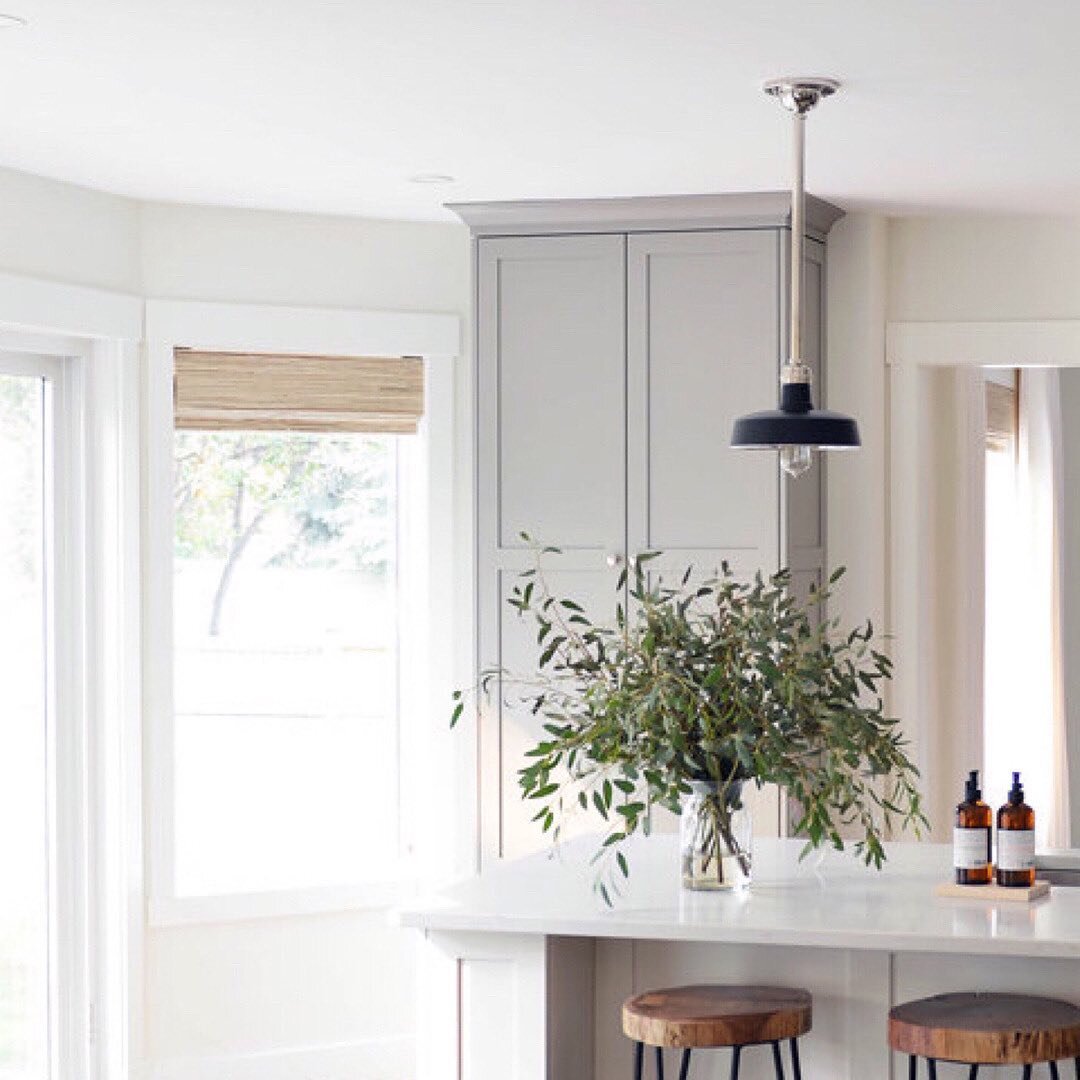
[{"x": 111, "y": 483}]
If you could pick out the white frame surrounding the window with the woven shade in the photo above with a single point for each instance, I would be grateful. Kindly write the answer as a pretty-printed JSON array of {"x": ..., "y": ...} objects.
[{"x": 435, "y": 337}]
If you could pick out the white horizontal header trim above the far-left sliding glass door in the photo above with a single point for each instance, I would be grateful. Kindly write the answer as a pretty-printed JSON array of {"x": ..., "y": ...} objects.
[{"x": 30, "y": 304}]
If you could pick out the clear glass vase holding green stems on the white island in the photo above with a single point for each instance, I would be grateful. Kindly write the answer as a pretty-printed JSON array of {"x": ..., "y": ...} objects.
[{"x": 715, "y": 834}]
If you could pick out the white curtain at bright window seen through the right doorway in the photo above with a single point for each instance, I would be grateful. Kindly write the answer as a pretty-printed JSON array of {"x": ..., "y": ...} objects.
[{"x": 1025, "y": 693}]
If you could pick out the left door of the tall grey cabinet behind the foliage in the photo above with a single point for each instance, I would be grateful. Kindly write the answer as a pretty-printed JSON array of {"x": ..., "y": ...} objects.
[{"x": 551, "y": 358}]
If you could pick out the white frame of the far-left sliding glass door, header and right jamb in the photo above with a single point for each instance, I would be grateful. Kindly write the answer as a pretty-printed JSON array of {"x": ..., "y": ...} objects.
[{"x": 86, "y": 343}]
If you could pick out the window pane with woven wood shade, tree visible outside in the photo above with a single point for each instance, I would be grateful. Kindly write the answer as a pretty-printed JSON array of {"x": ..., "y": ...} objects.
[{"x": 289, "y": 558}]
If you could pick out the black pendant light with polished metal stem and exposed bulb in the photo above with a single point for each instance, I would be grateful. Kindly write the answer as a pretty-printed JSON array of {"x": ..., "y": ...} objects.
[{"x": 796, "y": 429}]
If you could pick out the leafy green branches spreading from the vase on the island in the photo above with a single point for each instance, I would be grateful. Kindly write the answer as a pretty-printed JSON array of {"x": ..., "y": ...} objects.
[{"x": 719, "y": 681}]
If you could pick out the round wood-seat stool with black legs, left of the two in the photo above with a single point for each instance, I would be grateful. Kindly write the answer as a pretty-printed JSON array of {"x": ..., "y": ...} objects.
[{"x": 714, "y": 1018}]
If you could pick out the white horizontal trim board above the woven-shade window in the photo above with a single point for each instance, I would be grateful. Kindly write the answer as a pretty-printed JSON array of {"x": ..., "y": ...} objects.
[{"x": 317, "y": 331}]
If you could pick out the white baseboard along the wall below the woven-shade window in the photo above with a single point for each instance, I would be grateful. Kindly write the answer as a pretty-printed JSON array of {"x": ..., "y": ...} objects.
[{"x": 389, "y": 1059}]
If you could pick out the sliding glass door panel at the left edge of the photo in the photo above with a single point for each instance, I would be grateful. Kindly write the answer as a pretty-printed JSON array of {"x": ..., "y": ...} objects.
[{"x": 31, "y": 1007}]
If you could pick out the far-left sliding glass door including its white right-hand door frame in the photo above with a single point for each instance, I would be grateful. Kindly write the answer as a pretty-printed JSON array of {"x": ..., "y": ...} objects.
[{"x": 45, "y": 954}]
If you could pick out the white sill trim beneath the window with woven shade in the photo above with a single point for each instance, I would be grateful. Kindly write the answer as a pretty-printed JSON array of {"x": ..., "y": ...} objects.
[{"x": 240, "y": 908}]
